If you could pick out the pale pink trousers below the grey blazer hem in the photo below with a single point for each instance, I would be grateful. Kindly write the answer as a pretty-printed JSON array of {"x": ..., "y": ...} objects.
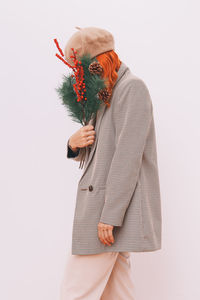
[{"x": 104, "y": 276}]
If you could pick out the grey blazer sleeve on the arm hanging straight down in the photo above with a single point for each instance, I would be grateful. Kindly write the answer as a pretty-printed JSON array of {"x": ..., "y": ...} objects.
[{"x": 132, "y": 115}]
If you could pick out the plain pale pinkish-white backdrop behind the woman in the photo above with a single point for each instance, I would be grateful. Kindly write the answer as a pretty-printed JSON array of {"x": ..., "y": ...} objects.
[{"x": 159, "y": 41}]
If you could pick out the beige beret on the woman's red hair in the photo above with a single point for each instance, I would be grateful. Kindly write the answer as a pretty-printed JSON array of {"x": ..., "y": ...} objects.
[{"x": 92, "y": 40}]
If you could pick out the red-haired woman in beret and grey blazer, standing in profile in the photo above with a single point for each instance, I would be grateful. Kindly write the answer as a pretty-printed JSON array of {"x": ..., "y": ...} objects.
[{"x": 118, "y": 207}]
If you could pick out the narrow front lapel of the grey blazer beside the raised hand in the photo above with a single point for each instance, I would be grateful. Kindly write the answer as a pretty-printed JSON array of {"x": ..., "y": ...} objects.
[{"x": 90, "y": 152}]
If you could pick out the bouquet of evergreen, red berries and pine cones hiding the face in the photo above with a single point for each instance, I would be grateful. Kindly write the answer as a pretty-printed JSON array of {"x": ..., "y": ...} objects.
[{"x": 83, "y": 91}]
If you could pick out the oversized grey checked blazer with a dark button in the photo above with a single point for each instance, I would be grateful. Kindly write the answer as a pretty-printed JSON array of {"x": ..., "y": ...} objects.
[{"x": 119, "y": 184}]
